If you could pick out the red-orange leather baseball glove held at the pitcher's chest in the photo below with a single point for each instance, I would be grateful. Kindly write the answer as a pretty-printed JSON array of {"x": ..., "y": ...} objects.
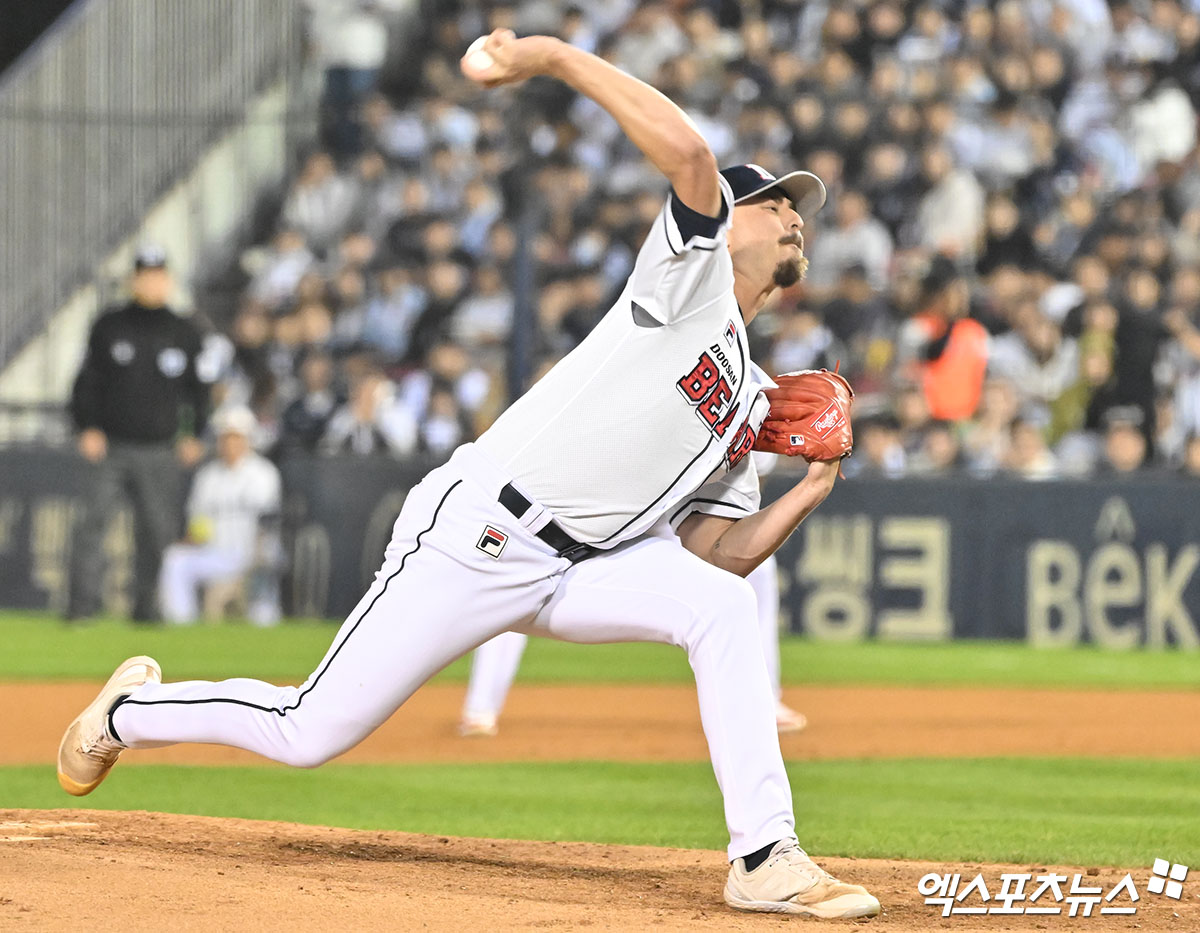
[{"x": 809, "y": 417}]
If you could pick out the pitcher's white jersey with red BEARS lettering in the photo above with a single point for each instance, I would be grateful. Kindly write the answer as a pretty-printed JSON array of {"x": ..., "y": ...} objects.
[{"x": 655, "y": 413}]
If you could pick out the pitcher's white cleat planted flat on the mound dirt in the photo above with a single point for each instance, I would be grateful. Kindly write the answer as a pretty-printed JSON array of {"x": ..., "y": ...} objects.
[{"x": 791, "y": 883}]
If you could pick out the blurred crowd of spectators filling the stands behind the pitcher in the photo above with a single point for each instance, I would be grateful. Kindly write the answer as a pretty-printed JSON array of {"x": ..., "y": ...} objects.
[{"x": 1009, "y": 268}]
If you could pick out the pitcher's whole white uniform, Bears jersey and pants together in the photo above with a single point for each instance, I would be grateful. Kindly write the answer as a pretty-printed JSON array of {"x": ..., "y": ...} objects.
[{"x": 653, "y": 416}]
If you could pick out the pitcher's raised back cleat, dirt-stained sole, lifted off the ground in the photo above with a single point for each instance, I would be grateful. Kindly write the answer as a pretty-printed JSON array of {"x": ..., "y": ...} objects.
[{"x": 88, "y": 751}]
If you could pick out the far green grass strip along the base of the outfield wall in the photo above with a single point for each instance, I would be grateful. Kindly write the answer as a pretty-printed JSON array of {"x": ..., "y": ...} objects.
[{"x": 43, "y": 648}]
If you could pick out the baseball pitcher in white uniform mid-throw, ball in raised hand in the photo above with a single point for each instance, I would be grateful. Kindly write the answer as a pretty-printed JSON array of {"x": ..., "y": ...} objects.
[{"x": 615, "y": 502}]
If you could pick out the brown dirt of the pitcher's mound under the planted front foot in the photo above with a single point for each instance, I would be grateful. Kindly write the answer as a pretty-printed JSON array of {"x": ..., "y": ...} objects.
[{"x": 88, "y": 870}]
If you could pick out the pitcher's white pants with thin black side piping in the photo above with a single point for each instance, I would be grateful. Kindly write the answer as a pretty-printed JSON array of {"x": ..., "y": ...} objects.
[{"x": 439, "y": 595}]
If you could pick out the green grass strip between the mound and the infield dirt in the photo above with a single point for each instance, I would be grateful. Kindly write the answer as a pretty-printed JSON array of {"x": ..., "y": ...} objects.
[{"x": 1064, "y": 811}]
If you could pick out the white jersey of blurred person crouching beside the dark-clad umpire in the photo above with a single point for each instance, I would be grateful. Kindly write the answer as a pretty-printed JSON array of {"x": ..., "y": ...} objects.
[{"x": 236, "y": 498}]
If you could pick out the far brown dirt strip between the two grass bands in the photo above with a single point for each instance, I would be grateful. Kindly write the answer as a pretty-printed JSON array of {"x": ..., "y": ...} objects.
[{"x": 662, "y": 724}]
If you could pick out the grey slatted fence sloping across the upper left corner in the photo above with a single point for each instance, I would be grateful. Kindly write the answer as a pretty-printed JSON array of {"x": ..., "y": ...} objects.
[{"x": 104, "y": 116}]
